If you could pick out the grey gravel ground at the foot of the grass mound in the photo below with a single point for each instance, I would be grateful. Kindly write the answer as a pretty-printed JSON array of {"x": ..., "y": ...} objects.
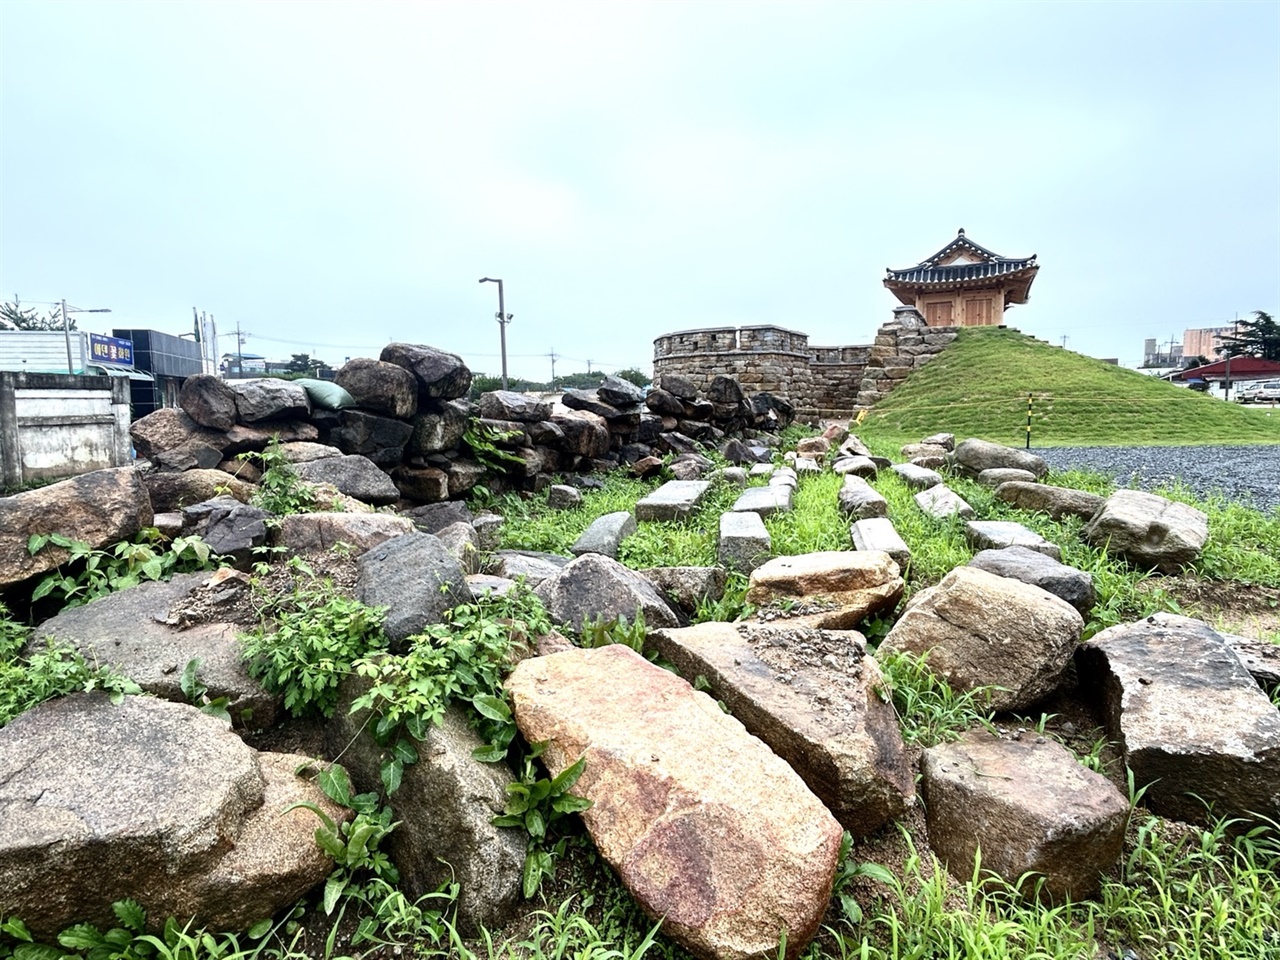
[{"x": 1241, "y": 473}]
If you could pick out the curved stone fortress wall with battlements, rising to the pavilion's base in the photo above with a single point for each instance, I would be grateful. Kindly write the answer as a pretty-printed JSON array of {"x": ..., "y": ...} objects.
[{"x": 820, "y": 382}]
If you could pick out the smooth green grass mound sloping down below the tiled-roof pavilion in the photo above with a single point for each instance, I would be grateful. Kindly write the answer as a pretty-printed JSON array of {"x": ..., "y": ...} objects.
[{"x": 979, "y": 387}]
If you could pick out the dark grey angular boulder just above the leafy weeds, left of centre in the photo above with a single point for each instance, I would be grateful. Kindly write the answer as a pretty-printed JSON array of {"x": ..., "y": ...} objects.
[{"x": 417, "y": 579}]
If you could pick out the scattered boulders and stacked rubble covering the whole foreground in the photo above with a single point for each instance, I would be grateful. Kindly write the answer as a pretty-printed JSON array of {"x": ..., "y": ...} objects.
[{"x": 726, "y": 826}]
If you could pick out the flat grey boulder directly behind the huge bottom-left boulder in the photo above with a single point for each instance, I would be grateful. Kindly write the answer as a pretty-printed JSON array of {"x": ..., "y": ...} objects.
[{"x": 135, "y": 633}]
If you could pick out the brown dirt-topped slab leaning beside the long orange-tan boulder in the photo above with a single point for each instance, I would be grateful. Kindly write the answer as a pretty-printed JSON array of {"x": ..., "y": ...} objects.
[{"x": 812, "y": 697}]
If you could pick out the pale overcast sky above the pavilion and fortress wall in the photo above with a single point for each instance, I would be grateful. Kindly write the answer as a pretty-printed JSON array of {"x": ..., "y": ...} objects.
[{"x": 331, "y": 177}]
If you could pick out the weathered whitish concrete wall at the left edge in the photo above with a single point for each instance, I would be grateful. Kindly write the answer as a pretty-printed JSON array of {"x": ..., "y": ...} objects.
[{"x": 54, "y": 426}]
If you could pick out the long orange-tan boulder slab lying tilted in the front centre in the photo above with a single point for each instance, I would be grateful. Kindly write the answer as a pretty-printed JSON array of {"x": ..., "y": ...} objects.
[{"x": 703, "y": 824}]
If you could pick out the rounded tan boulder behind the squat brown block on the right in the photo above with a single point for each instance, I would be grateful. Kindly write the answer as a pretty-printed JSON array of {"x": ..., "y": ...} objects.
[{"x": 984, "y": 632}]
